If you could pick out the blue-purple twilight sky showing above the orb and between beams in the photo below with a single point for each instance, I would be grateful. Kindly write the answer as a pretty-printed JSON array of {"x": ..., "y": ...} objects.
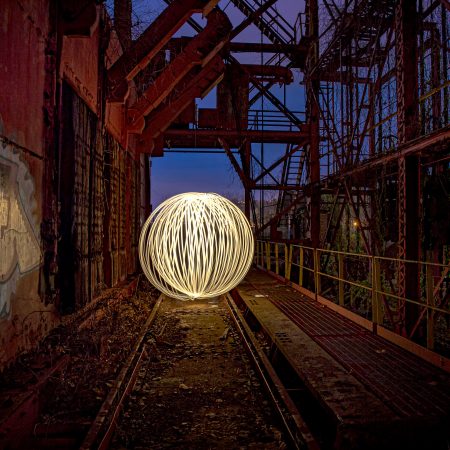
[{"x": 182, "y": 172}]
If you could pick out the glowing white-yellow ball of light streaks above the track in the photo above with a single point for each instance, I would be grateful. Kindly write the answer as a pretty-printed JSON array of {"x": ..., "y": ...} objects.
[{"x": 196, "y": 245}]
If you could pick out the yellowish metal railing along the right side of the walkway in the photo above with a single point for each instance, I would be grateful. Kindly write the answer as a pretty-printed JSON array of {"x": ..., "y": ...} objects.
[{"x": 367, "y": 293}]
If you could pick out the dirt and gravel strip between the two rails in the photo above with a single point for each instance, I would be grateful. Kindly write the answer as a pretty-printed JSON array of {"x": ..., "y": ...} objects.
[{"x": 197, "y": 389}]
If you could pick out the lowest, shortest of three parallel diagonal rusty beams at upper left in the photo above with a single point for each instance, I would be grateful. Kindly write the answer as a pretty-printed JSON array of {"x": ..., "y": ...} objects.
[{"x": 196, "y": 86}]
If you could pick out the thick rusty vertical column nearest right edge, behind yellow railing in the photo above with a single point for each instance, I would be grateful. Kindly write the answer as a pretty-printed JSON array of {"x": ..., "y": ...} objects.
[{"x": 406, "y": 20}]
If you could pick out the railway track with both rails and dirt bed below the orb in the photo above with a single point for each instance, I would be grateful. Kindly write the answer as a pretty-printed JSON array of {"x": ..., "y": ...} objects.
[{"x": 157, "y": 354}]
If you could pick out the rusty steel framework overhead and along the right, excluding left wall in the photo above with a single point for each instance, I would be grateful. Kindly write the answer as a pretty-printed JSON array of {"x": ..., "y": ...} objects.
[{"x": 365, "y": 161}]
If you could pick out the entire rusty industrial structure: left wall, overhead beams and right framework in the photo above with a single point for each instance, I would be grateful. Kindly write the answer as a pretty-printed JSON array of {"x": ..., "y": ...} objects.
[{"x": 334, "y": 115}]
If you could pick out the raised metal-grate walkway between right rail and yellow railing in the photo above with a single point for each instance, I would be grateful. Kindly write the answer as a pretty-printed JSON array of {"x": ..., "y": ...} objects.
[{"x": 377, "y": 394}]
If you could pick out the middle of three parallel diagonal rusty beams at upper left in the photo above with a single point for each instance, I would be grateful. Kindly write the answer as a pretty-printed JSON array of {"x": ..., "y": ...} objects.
[{"x": 198, "y": 52}]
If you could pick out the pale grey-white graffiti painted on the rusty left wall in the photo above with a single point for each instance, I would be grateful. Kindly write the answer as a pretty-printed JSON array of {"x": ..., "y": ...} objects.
[{"x": 19, "y": 239}]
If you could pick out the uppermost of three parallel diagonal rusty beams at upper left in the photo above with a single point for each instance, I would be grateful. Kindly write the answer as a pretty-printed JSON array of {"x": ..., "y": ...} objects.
[{"x": 150, "y": 42}]
